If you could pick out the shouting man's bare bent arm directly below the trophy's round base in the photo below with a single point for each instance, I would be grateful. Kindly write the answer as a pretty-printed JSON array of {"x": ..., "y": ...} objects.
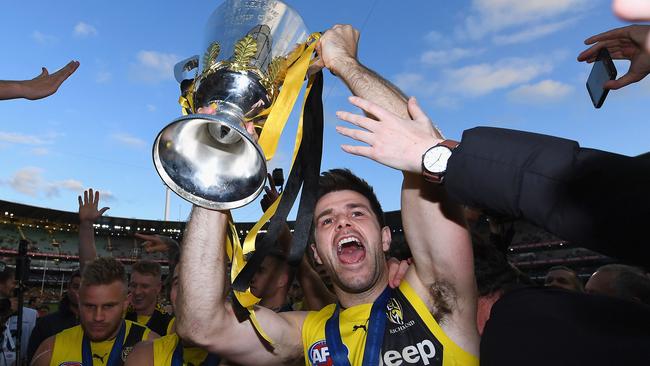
[{"x": 205, "y": 318}]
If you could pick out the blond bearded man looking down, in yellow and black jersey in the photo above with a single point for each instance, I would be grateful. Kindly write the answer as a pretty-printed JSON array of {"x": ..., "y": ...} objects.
[{"x": 103, "y": 337}]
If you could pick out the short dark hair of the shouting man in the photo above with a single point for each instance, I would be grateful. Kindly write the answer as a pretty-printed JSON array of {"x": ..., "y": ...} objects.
[{"x": 342, "y": 180}]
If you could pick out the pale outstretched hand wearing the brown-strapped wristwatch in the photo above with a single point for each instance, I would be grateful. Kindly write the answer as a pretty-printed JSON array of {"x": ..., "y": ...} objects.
[{"x": 392, "y": 141}]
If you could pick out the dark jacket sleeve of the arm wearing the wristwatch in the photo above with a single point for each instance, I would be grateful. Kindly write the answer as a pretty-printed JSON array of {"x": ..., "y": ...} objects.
[{"x": 595, "y": 199}]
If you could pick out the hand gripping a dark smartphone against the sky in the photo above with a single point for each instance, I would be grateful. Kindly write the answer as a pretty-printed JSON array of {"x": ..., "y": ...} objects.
[{"x": 626, "y": 43}]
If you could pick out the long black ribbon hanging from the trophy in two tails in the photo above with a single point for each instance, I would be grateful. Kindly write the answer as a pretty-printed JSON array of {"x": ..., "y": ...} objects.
[{"x": 305, "y": 172}]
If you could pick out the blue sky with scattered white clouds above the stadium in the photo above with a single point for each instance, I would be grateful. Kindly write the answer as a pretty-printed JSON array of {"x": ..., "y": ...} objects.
[{"x": 504, "y": 63}]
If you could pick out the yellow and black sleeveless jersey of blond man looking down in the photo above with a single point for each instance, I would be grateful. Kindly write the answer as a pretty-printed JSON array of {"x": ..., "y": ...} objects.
[{"x": 67, "y": 345}]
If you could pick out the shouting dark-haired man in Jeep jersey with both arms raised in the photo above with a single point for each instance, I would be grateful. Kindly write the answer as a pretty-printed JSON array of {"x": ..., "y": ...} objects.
[{"x": 429, "y": 320}]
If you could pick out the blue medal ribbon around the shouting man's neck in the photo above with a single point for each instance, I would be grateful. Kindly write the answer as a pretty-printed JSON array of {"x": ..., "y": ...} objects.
[{"x": 374, "y": 339}]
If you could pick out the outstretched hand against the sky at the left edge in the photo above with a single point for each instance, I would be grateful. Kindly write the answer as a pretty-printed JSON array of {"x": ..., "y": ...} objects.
[{"x": 39, "y": 87}]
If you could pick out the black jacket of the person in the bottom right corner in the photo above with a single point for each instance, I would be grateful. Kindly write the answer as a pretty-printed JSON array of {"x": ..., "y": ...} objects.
[{"x": 546, "y": 326}]
